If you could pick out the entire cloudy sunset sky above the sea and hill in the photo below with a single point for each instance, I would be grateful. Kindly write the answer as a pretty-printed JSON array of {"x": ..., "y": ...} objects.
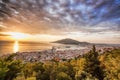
[{"x": 96, "y": 21}]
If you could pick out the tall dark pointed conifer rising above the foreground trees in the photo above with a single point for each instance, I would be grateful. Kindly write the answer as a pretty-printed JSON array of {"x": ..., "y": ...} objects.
[{"x": 92, "y": 65}]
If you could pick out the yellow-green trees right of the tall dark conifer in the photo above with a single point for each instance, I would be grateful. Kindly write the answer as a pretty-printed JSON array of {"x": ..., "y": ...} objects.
[{"x": 111, "y": 63}]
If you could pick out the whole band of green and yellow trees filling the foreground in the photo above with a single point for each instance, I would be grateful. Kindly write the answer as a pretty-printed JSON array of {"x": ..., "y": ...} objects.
[{"x": 90, "y": 66}]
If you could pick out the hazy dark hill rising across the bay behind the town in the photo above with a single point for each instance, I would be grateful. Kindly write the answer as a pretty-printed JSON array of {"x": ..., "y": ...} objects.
[{"x": 71, "y": 41}]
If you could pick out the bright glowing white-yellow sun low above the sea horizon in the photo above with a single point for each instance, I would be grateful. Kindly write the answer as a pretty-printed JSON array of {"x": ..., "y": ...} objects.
[{"x": 17, "y": 35}]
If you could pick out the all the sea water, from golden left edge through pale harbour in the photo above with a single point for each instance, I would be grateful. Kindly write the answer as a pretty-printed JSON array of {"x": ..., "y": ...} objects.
[{"x": 8, "y": 47}]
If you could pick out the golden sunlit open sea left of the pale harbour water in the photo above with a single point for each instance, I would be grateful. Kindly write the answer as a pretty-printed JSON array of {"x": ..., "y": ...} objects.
[{"x": 12, "y": 47}]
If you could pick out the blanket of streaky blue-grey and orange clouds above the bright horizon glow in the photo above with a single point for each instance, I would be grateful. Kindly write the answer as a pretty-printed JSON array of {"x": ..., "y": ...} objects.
[{"x": 51, "y": 16}]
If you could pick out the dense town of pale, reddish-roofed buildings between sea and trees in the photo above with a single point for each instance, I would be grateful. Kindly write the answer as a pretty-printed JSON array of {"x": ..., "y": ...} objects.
[{"x": 49, "y": 54}]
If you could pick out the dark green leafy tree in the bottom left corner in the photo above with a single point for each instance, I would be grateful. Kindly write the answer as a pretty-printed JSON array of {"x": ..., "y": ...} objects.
[{"x": 9, "y": 68}]
